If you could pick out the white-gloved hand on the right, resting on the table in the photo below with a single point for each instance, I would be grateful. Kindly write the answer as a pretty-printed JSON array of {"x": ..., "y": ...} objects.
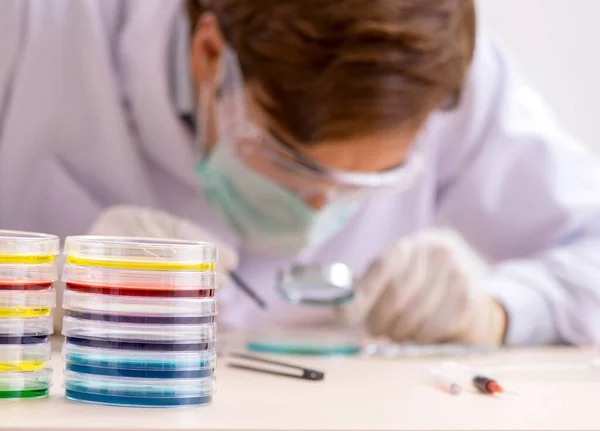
[{"x": 423, "y": 290}]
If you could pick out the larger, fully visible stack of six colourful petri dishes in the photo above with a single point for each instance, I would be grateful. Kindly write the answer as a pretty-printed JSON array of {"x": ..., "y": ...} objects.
[{"x": 139, "y": 321}]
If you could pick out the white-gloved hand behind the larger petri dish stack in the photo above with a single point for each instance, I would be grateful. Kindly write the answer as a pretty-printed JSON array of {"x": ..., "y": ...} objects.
[{"x": 132, "y": 221}]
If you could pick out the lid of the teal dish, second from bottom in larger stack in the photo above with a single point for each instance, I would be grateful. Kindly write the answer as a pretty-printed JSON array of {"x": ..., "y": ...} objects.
[{"x": 136, "y": 360}]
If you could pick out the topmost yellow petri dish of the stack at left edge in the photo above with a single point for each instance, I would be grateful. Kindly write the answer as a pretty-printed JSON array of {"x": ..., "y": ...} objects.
[{"x": 28, "y": 248}]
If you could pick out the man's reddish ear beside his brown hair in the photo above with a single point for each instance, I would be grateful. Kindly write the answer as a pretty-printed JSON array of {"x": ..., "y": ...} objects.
[{"x": 207, "y": 50}]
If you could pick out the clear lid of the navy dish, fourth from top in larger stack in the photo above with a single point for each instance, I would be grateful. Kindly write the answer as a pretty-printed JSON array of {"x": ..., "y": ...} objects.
[{"x": 139, "y": 333}]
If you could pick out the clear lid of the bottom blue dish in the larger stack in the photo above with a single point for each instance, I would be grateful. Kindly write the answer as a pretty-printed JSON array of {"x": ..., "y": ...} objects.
[{"x": 139, "y": 387}]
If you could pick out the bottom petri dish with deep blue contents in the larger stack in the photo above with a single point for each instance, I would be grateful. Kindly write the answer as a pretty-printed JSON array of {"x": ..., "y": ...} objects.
[{"x": 129, "y": 392}]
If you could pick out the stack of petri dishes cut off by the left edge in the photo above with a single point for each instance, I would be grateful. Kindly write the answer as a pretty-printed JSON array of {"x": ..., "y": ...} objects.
[{"x": 27, "y": 297}]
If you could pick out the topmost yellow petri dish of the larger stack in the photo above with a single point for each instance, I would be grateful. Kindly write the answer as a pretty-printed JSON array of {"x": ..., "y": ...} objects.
[{"x": 141, "y": 253}]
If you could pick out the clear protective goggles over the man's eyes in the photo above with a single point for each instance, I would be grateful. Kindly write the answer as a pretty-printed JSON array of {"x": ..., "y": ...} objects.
[{"x": 280, "y": 162}]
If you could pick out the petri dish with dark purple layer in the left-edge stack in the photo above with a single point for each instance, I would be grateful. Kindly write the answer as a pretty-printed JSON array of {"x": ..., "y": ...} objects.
[{"x": 26, "y": 331}]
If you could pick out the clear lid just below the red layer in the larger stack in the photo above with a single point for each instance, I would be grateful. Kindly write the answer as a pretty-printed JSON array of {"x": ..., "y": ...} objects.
[{"x": 139, "y": 306}]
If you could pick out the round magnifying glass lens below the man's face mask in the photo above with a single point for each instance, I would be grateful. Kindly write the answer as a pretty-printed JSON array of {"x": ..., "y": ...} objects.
[{"x": 317, "y": 284}]
